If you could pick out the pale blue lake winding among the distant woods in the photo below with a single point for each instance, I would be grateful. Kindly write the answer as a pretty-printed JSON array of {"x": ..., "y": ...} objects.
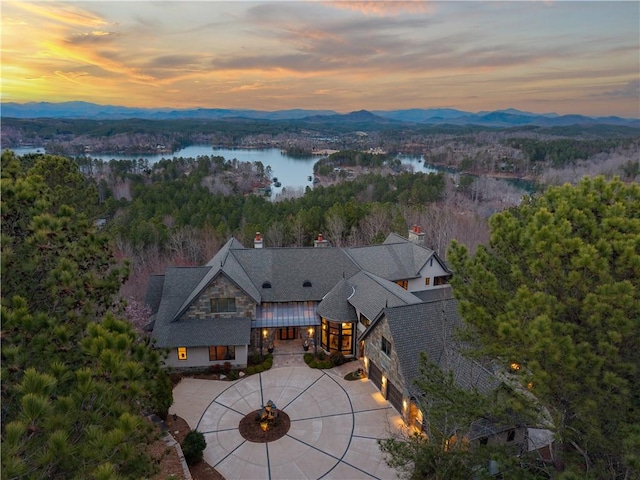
[{"x": 291, "y": 172}]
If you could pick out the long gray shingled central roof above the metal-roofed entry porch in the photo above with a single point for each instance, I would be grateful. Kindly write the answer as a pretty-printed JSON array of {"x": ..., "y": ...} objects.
[{"x": 287, "y": 270}]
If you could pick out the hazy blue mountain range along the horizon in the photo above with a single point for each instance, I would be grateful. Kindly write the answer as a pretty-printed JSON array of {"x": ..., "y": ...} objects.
[{"x": 434, "y": 116}]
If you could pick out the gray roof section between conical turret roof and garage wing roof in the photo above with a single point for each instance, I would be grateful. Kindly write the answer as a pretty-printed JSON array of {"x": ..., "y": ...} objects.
[{"x": 373, "y": 294}]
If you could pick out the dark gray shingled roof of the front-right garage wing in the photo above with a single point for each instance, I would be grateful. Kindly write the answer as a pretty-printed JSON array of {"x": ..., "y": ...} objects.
[{"x": 429, "y": 328}]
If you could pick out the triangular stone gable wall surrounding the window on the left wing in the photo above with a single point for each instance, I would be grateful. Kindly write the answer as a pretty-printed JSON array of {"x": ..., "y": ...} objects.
[{"x": 221, "y": 287}]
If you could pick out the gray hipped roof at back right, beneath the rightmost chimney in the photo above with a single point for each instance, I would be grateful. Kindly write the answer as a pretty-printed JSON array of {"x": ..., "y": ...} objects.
[{"x": 396, "y": 259}]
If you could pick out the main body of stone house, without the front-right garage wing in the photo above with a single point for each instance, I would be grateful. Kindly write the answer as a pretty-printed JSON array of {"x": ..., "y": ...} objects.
[{"x": 245, "y": 298}]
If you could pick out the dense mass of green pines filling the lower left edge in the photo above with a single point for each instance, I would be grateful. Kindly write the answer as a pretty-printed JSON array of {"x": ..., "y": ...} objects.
[{"x": 76, "y": 381}]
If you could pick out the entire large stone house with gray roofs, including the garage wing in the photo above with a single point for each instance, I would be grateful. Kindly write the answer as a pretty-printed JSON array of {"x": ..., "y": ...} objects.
[{"x": 384, "y": 304}]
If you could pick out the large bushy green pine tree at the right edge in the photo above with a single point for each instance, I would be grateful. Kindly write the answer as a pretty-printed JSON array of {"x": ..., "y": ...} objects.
[{"x": 557, "y": 294}]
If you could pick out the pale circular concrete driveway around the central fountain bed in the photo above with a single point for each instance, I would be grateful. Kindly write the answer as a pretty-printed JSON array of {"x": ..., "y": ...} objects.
[{"x": 335, "y": 424}]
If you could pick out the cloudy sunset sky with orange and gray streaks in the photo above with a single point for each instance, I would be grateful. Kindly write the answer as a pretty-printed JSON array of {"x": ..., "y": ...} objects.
[{"x": 543, "y": 56}]
